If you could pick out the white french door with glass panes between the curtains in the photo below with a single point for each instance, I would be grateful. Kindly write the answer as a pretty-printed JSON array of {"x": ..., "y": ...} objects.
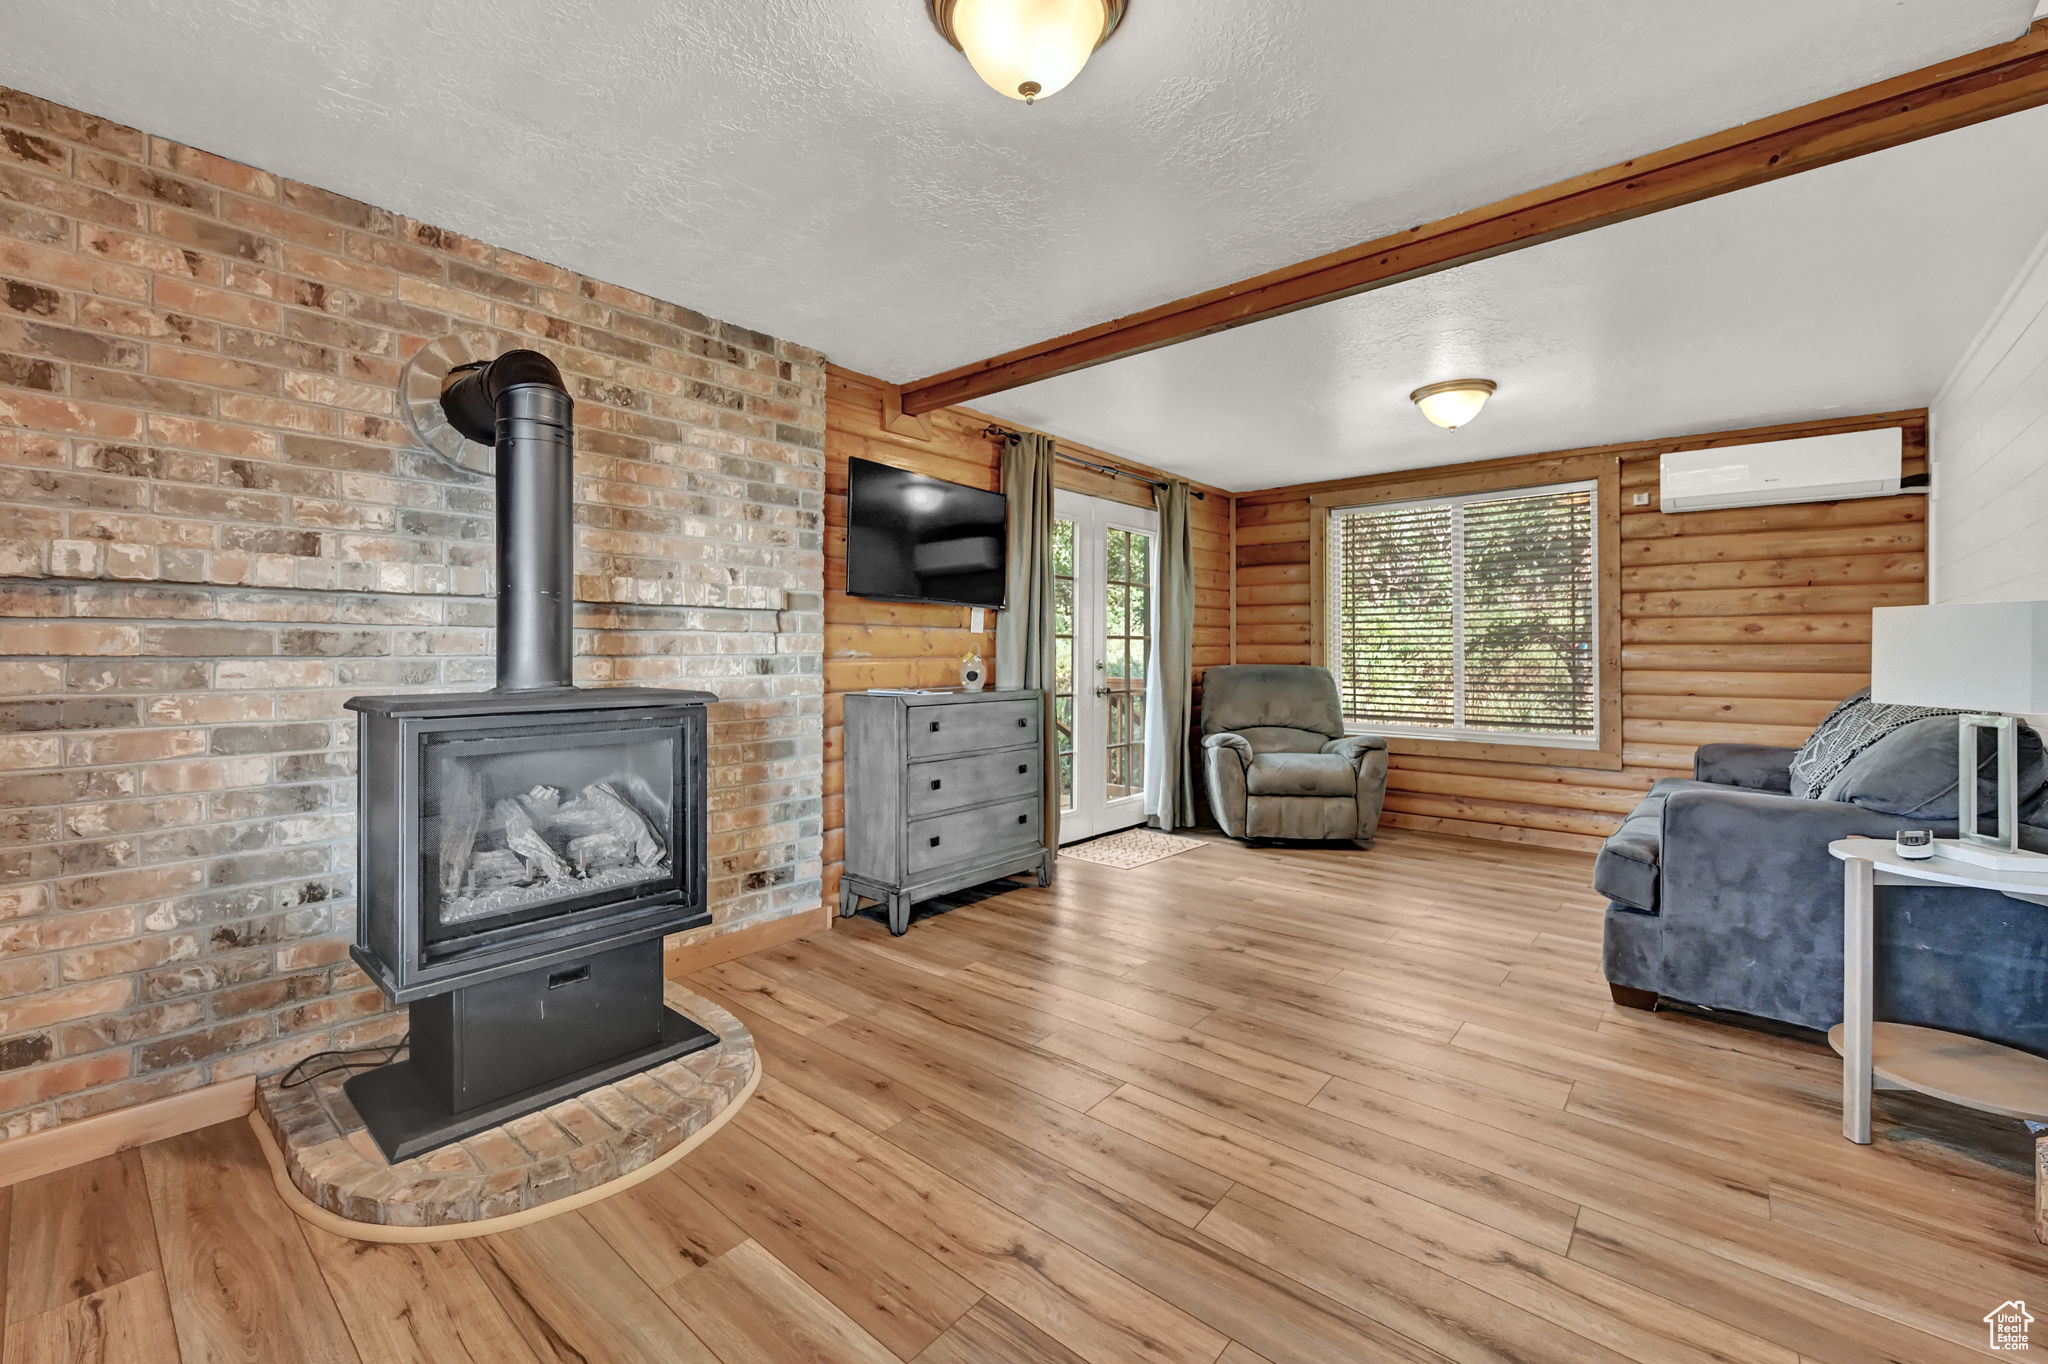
[{"x": 1103, "y": 591}]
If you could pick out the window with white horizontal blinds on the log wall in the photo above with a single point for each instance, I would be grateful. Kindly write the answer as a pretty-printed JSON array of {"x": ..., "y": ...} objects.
[{"x": 1467, "y": 617}]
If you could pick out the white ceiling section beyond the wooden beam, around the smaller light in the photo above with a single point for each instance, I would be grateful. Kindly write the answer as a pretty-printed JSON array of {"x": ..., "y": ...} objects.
[{"x": 1844, "y": 290}]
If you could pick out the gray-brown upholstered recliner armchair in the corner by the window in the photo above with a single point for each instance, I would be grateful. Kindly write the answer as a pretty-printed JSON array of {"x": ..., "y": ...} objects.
[{"x": 1277, "y": 761}]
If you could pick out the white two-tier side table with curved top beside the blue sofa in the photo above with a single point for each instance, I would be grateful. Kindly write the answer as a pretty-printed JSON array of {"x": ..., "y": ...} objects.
[{"x": 1961, "y": 1070}]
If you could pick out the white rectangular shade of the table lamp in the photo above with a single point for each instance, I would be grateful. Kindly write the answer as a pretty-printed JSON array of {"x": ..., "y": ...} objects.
[{"x": 1965, "y": 656}]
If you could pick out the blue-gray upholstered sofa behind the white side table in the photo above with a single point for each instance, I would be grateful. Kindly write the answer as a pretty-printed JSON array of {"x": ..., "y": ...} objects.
[{"x": 1721, "y": 894}]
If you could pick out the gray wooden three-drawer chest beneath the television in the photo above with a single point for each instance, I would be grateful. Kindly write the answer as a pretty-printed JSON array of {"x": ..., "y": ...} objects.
[{"x": 943, "y": 792}]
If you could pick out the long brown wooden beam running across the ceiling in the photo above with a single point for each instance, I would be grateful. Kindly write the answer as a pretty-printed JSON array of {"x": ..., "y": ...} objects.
[{"x": 1938, "y": 99}]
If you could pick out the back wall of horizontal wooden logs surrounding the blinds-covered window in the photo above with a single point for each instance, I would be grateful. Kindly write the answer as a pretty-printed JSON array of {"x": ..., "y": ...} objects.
[{"x": 1742, "y": 626}]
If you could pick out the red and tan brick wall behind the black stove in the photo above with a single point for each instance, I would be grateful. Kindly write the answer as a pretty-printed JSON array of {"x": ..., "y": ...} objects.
[{"x": 214, "y": 531}]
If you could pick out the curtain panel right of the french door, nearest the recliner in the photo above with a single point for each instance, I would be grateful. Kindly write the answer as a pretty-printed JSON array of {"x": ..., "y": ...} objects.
[{"x": 1170, "y": 671}]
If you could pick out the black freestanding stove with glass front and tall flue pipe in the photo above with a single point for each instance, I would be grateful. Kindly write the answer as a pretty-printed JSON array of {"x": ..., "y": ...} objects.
[{"x": 525, "y": 851}]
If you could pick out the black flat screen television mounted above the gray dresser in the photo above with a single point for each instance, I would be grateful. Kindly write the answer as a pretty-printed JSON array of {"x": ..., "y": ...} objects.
[{"x": 919, "y": 540}]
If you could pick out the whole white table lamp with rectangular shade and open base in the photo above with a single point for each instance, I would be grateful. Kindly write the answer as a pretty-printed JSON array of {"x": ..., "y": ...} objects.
[{"x": 1988, "y": 660}]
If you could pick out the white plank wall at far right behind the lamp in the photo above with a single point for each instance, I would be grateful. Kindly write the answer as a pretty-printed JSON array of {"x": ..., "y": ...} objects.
[{"x": 1990, "y": 456}]
